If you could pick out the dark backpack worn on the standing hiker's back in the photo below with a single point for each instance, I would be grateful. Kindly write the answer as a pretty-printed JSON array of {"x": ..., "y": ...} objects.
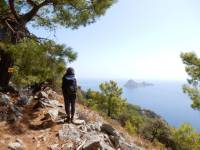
[{"x": 69, "y": 85}]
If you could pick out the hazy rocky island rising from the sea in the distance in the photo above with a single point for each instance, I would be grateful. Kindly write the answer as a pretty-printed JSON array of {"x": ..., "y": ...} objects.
[{"x": 130, "y": 84}]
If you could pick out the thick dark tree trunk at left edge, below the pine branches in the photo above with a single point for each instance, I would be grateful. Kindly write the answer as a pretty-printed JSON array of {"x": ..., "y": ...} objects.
[{"x": 6, "y": 61}]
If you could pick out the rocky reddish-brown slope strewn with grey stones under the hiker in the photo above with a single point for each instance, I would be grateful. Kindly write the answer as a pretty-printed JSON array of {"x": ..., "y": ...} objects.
[{"x": 36, "y": 122}]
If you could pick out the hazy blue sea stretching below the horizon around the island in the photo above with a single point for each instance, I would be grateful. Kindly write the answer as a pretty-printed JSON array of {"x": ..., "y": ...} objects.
[{"x": 166, "y": 98}]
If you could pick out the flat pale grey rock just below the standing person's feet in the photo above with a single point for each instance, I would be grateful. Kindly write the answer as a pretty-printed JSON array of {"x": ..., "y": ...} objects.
[{"x": 69, "y": 132}]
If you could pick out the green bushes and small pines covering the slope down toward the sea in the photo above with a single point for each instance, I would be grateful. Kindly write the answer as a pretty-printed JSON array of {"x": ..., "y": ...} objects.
[{"x": 140, "y": 122}]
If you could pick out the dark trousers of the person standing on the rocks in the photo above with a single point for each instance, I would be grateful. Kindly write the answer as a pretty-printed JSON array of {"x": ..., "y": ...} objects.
[{"x": 70, "y": 101}]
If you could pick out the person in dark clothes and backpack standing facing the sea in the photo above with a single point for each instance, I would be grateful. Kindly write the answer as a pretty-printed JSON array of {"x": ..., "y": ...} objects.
[{"x": 69, "y": 88}]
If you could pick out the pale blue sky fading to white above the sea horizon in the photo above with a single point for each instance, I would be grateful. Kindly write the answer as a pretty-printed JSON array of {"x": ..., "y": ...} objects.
[{"x": 135, "y": 39}]
